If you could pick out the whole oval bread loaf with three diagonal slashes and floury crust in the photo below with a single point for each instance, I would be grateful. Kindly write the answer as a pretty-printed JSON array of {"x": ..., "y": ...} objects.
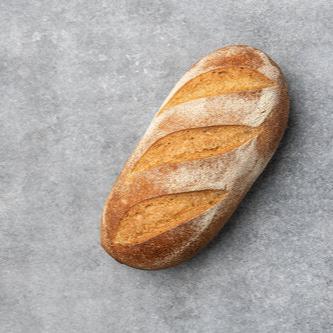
[{"x": 205, "y": 147}]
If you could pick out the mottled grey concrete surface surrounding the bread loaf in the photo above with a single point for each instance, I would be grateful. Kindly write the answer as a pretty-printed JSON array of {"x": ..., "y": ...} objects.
[{"x": 79, "y": 83}]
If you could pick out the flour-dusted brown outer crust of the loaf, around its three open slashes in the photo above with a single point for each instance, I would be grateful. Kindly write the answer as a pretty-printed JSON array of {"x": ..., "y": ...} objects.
[{"x": 232, "y": 171}]
